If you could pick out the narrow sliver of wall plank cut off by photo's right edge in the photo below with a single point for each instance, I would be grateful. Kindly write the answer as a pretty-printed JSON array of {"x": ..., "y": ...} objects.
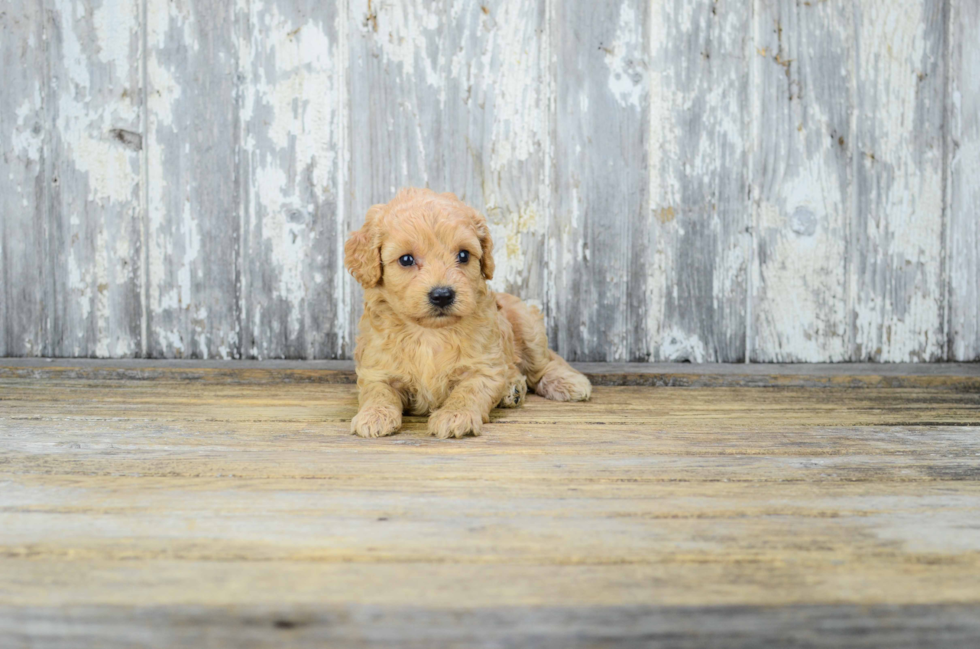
[{"x": 963, "y": 151}]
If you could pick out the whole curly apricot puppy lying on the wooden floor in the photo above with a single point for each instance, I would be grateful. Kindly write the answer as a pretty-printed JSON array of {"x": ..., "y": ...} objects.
[{"x": 434, "y": 339}]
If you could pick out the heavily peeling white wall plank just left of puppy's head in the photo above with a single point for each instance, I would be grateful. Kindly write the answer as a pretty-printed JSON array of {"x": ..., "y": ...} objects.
[{"x": 292, "y": 283}]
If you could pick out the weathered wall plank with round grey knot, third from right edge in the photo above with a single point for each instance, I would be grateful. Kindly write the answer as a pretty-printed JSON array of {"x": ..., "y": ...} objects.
[{"x": 801, "y": 181}]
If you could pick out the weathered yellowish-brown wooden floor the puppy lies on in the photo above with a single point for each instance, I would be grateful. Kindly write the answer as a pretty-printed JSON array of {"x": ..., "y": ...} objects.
[{"x": 232, "y": 508}]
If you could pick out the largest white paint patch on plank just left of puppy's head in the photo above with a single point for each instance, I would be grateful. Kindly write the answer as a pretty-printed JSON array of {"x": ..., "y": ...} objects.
[{"x": 293, "y": 78}]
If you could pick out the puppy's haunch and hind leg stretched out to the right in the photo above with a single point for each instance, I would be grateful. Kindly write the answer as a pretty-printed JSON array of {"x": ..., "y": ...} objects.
[{"x": 547, "y": 373}]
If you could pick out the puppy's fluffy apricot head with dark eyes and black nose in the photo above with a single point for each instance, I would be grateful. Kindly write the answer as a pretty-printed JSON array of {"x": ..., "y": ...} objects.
[{"x": 429, "y": 254}]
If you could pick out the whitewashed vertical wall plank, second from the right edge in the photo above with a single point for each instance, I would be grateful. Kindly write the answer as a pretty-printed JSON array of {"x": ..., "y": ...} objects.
[{"x": 896, "y": 242}]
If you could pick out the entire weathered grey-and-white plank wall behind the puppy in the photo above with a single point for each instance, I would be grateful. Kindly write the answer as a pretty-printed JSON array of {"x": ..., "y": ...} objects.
[{"x": 705, "y": 180}]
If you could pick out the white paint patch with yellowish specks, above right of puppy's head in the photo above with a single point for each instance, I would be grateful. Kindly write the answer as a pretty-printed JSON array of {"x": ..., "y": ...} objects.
[{"x": 499, "y": 68}]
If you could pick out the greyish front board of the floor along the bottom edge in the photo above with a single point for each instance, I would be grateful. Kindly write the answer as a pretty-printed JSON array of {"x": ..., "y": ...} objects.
[{"x": 551, "y": 627}]
